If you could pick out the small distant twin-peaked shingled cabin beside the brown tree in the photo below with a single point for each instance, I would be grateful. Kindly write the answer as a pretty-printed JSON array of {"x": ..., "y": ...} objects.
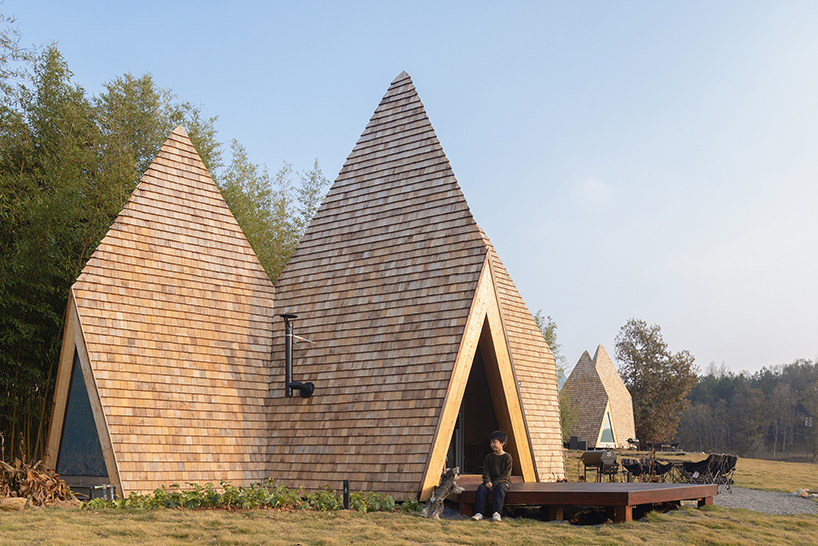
[{"x": 600, "y": 403}]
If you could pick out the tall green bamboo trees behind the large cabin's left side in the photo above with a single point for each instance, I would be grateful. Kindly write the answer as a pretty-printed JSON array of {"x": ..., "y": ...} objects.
[{"x": 68, "y": 164}]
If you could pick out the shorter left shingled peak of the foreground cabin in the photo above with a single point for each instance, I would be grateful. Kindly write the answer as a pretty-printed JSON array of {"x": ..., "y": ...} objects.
[{"x": 171, "y": 319}]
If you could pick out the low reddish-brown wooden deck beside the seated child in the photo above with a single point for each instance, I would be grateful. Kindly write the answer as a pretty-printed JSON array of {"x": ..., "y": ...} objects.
[{"x": 619, "y": 498}]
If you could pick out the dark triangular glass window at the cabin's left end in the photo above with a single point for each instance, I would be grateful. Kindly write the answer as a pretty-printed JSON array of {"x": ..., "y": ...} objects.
[{"x": 80, "y": 450}]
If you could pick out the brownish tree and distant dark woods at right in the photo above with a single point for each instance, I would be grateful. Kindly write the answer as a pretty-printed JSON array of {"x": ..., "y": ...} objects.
[{"x": 772, "y": 413}]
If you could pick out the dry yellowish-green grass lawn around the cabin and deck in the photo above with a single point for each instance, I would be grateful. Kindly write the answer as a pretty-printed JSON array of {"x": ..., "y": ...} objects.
[{"x": 709, "y": 525}]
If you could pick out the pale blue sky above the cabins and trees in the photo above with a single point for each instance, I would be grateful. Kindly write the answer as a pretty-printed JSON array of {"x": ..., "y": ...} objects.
[{"x": 656, "y": 160}]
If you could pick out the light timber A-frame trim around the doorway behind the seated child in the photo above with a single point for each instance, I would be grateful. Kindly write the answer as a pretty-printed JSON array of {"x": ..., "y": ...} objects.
[{"x": 485, "y": 311}]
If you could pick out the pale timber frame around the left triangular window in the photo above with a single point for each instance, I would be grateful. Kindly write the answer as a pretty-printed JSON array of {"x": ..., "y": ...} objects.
[{"x": 74, "y": 341}]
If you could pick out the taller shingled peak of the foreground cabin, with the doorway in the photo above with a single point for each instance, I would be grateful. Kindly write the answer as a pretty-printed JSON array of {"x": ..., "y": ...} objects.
[{"x": 393, "y": 283}]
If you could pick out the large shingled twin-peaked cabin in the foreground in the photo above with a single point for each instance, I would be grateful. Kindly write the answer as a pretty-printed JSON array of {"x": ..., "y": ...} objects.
[{"x": 173, "y": 370}]
